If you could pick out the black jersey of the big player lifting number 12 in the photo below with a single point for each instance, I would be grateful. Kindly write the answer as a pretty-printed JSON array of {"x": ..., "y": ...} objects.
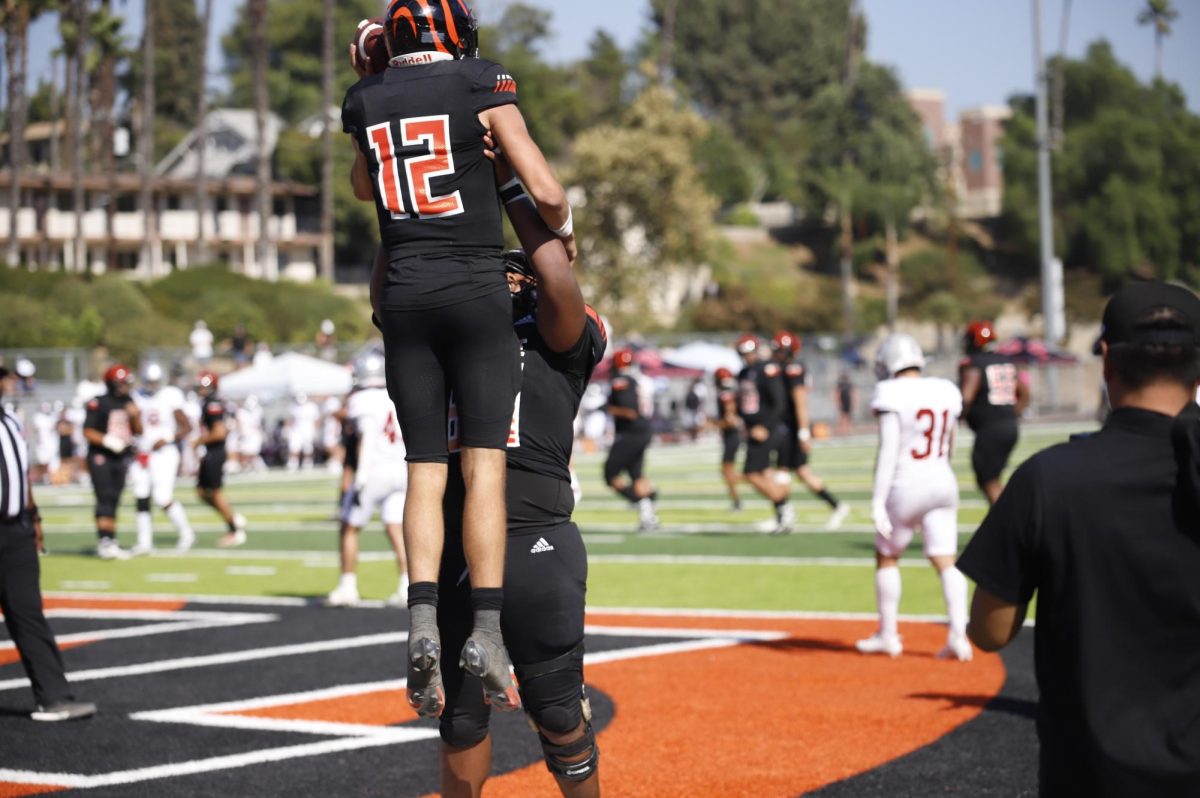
[{"x": 553, "y": 383}]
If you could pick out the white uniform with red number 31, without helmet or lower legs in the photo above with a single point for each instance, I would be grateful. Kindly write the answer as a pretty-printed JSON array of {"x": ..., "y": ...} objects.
[{"x": 915, "y": 484}]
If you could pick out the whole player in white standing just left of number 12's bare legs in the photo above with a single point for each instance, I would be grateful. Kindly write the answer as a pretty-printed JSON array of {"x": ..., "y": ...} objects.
[{"x": 380, "y": 484}]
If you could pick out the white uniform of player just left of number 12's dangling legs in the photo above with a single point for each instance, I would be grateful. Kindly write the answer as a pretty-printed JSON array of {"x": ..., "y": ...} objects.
[{"x": 382, "y": 477}]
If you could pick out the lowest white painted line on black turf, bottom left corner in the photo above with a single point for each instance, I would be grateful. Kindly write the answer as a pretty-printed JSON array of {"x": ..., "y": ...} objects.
[{"x": 220, "y": 763}]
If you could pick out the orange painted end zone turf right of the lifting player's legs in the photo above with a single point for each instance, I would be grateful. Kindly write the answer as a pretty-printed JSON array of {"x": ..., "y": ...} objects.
[{"x": 772, "y": 718}]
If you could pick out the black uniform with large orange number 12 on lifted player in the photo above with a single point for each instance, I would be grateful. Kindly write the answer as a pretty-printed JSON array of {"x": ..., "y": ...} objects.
[{"x": 447, "y": 316}]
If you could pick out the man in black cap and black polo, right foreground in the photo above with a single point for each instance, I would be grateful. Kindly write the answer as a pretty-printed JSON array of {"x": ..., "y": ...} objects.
[{"x": 1106, "y": 530}]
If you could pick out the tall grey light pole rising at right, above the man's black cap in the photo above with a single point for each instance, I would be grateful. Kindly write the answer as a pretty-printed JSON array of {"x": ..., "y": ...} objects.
[{"x": 1052, "y": 268}]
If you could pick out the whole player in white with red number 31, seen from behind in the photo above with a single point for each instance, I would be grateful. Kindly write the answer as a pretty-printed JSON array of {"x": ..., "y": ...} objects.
[{"x": 915, "y": 487}]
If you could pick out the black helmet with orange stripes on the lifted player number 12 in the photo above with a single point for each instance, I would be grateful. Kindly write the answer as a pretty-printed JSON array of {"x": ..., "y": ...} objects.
[{"x": 431, "y": 27}]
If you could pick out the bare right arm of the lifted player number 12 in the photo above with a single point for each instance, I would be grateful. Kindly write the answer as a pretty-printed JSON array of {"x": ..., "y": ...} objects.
[{"x": 508, "y": 128}]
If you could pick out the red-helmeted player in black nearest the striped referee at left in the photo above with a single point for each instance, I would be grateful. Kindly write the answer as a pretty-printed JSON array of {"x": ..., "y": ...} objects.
[{"x": 112, "y": 422}]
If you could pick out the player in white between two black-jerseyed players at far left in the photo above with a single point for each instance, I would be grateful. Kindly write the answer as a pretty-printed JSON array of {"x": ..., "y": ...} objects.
[{"x": 157, "y": 465}]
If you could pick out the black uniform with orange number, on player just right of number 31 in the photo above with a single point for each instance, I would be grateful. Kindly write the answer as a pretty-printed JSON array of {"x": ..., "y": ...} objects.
[{"x": 993, "y": 415}]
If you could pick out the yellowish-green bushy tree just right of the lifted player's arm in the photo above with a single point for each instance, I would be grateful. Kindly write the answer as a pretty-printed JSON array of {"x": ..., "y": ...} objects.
[{"x": 645, "y": 205}]
